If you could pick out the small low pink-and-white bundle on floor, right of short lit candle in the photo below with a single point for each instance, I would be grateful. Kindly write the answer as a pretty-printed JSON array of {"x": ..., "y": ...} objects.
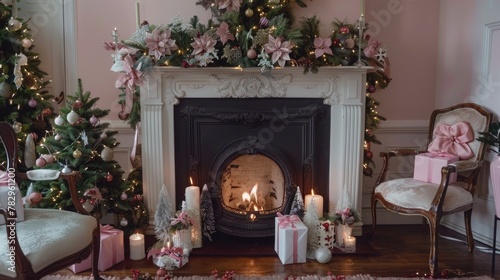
[{"x": 169, "y": 258}]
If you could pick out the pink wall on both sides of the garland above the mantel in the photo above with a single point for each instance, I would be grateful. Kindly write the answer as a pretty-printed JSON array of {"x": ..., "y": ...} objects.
[{"x": 409, "y": 29}]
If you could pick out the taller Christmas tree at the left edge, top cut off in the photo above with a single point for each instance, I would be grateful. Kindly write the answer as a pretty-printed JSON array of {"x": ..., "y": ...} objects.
[{"x": 24, "y": 101}]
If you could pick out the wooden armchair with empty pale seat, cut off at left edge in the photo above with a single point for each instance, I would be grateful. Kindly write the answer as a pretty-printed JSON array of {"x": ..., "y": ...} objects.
[{"x": 48, "y": 239}]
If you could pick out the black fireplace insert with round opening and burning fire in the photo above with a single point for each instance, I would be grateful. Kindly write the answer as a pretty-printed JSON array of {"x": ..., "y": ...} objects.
[{"x": 253, "y": 154}]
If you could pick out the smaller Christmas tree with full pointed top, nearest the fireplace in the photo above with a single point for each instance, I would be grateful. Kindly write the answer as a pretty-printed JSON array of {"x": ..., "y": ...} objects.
[{"x": 81, "y": 142}]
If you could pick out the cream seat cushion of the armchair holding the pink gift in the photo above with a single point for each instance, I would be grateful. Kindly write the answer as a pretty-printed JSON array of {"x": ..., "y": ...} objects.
[{"x": 413, "y": 194}]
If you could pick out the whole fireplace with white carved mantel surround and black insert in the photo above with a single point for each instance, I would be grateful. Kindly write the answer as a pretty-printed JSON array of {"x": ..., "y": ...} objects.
[{"x": 172, "y": 95}]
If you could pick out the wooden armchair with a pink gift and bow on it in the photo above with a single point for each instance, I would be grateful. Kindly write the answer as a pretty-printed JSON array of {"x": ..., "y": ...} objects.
[{"x": 433, "y": 201}]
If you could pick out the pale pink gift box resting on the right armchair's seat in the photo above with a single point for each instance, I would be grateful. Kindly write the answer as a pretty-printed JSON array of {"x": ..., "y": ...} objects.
[{"x": 428, "y": 167}]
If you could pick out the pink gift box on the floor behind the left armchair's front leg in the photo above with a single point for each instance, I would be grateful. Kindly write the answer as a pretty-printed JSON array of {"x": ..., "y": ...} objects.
[{"x": 111, "y": 251}]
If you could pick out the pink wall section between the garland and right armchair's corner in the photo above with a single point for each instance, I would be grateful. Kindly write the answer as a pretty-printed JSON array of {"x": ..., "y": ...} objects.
[{"x": 409, "y": 30}]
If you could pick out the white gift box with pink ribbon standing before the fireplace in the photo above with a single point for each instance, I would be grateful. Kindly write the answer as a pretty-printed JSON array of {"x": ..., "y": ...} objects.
[{"x": 290, "y": 240}]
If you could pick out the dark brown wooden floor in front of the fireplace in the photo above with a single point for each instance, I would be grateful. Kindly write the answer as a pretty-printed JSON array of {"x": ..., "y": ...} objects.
[{"x": 399, "y": 251}]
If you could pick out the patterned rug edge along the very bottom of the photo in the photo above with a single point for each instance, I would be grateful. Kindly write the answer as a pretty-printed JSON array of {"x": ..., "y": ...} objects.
[{"x": 270, "y": 277}]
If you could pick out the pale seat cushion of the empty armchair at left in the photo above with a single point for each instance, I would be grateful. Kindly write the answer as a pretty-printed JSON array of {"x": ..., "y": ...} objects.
[{"x": 64, "y": 233}]
